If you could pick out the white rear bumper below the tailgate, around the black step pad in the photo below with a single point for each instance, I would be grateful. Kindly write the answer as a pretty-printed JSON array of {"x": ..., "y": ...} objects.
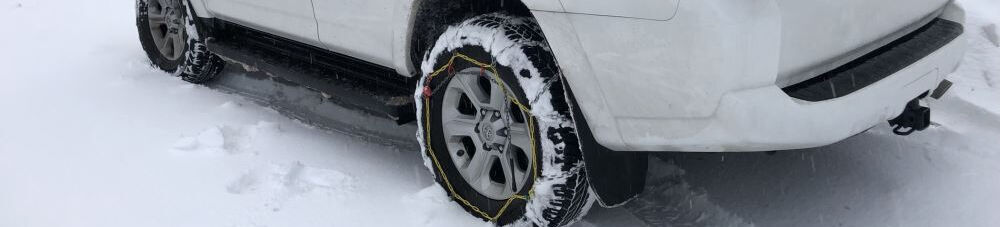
[{"x": 766, "y": 118}]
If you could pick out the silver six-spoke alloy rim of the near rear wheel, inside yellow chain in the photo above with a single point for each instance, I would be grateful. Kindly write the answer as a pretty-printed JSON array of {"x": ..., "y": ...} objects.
[{"x": 486, "y": 135}]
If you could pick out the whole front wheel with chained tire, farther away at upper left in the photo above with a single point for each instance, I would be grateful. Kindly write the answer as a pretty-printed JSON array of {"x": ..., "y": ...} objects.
[{"x": 171, "y": 40}]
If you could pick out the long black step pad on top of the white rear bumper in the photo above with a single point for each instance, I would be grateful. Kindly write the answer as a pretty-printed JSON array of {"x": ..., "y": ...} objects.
[{"x": 878, "y": 64}]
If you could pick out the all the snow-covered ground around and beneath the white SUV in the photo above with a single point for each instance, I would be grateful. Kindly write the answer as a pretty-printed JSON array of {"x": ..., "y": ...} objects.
[{"x": 90, "y": 135}]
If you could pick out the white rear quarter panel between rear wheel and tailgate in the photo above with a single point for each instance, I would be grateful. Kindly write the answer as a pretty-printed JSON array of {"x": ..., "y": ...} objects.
[{"x": 627, "y": 72}]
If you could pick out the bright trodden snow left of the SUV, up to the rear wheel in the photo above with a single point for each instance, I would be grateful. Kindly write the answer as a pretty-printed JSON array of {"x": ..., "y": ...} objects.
[{"x": 90, "y": 135}]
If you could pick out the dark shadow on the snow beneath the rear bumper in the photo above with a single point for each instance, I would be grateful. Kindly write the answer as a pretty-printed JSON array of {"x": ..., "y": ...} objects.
[{"x": 851, "y": 181}]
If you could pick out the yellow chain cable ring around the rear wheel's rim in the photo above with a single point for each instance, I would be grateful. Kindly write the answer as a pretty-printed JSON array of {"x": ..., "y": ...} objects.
[{"x": 437, "y": 164}]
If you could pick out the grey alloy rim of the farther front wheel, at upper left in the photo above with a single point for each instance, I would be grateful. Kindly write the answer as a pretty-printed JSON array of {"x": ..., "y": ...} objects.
[{"x": 166, "y": 25}]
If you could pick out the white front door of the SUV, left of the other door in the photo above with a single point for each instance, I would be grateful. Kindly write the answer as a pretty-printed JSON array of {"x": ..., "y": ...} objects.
[{"x": 293, "y": 19}]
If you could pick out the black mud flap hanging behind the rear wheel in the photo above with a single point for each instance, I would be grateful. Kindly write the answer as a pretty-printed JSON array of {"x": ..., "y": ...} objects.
[{"x": 616, "y": 177}]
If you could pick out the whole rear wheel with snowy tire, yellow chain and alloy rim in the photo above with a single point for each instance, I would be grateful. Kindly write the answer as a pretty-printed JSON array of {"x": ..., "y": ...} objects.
[{"x": 496, "y": 127}]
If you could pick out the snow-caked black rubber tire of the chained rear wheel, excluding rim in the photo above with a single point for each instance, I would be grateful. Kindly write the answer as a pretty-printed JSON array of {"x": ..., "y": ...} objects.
[{"x": 560, "y": 193}]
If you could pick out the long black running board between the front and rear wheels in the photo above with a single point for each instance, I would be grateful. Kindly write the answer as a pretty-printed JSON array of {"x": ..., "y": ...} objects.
[{"x": 349, "y": 82}]
